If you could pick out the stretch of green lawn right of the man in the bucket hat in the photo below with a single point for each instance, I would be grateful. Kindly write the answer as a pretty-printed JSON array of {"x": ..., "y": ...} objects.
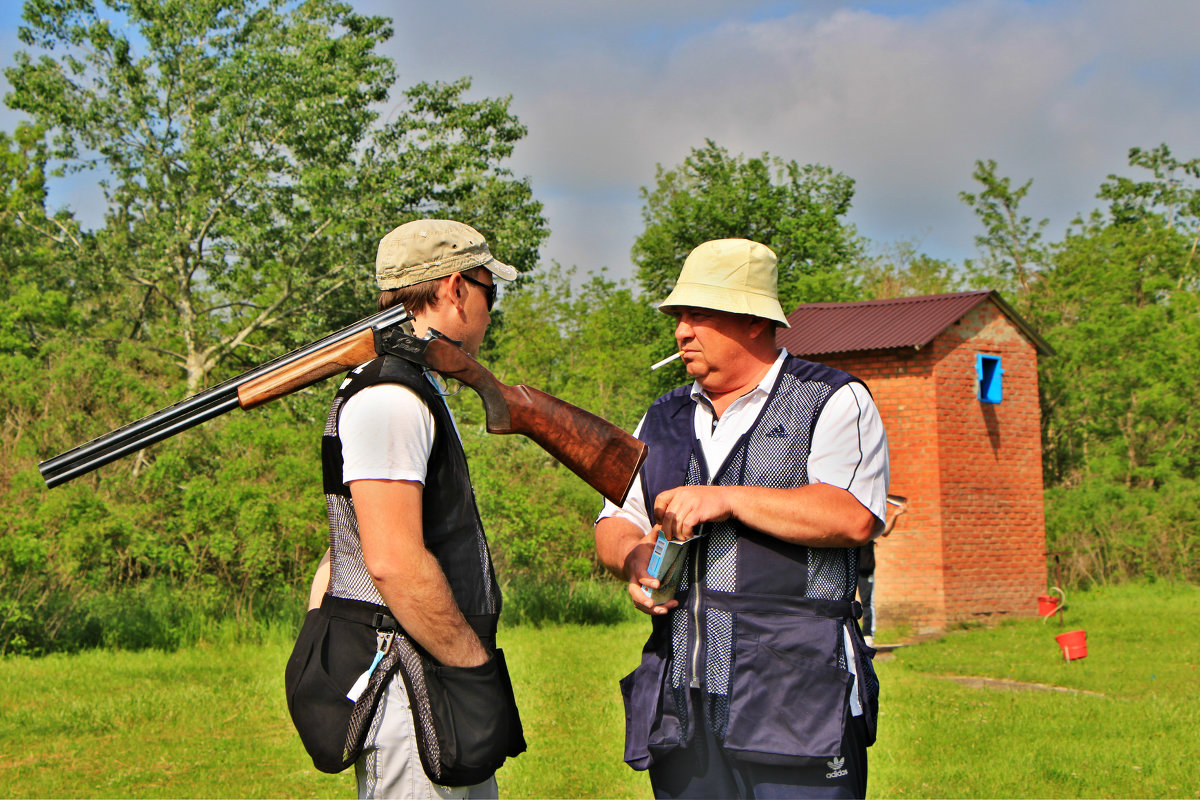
[{"x": 1141, "y": 739}]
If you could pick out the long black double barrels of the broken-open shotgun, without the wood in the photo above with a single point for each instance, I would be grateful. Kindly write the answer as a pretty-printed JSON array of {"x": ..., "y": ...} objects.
[{"x": 193, "y": 411}]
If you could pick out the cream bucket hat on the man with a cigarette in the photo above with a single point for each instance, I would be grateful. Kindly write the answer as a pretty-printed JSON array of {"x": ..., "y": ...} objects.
[{"x": 735, "y": 275}]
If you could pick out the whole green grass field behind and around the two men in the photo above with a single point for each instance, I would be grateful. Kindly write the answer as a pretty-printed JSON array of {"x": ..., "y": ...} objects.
[{"x": 211, "y": 721}]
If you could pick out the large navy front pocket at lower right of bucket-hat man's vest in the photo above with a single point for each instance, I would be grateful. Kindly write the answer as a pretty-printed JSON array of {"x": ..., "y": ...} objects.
[{"x": 787, "y": 707}]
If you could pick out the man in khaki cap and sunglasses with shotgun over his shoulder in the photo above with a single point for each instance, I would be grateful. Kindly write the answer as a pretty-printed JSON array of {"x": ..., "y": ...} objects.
[{"x": 409, "y": 556}]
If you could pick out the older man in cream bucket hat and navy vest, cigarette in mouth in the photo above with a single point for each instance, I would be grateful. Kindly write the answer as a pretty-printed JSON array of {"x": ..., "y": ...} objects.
[{"x": 767, "y": 472}]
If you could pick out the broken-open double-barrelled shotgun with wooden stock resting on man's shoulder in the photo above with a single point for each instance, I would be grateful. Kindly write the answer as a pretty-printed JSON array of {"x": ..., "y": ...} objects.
[{"x": 603, "y": 455}]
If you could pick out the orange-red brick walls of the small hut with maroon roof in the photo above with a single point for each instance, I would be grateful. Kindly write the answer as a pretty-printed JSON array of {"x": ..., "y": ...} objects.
[{"x": 973, "y": 543}]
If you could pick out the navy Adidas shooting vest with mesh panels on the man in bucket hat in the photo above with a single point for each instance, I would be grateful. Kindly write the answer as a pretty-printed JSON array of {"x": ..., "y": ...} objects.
[{"x": 760, "y": 633}]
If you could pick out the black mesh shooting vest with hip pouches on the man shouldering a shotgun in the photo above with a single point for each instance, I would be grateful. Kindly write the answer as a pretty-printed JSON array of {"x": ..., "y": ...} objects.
[{"x": 466, "y": 719}]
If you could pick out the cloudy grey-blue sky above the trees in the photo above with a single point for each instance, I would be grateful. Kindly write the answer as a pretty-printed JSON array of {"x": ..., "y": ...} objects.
[{"x": 902, "y": 97}]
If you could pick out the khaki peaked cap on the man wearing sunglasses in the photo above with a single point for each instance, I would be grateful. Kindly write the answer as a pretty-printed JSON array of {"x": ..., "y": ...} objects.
[{"x": 425, "y": 250}]
